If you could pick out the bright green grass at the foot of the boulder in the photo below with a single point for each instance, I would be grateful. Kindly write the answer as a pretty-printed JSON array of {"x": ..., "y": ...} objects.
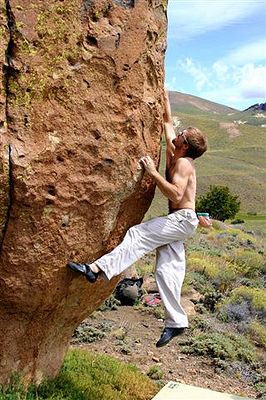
[{"x": 85, "y": 376}]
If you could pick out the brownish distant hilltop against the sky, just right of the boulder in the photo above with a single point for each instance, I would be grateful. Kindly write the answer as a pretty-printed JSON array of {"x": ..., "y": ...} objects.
[{"x": 187, "y": 103}]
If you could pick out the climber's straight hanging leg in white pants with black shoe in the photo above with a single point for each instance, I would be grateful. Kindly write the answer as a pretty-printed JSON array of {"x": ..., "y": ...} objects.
[{"x": 170, "y": 273}]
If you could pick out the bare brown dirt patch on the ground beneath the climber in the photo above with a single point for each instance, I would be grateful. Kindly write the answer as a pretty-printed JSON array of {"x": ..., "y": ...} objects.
[{"x": 130, "y": 336}]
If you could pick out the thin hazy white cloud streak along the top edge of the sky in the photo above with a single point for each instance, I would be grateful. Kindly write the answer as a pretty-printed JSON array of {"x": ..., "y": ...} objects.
[{"x": 188, "y": 18}]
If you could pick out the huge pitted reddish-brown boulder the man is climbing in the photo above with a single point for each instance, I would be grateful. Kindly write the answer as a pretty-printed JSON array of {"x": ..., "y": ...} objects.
[{"x": 80, "y": 102}]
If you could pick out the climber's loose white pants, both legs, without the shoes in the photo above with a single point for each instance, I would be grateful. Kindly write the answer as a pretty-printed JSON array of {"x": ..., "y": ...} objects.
[{"x": 166, "y": 234}]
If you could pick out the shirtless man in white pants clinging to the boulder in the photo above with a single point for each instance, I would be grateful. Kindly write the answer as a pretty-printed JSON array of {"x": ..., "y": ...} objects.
[{"x": 165, "y": 234}]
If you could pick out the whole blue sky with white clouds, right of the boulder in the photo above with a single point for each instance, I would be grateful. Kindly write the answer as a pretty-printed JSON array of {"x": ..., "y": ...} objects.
[{"x": 217, "y": 50}]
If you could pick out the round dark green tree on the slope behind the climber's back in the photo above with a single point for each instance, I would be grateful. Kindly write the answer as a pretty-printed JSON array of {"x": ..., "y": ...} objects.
[{"x": 219, "y": 203}]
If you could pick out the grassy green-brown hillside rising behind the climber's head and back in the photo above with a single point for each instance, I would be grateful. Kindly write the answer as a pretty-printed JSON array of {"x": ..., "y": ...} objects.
[{"x": 236, "y": 155}]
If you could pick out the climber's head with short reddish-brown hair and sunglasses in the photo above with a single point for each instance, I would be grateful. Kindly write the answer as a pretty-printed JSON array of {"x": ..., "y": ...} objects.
[{"x": 194, "y": 142}]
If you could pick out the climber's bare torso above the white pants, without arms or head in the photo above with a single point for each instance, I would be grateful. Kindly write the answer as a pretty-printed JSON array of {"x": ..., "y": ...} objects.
[{"x": 188, "y": 198}]
